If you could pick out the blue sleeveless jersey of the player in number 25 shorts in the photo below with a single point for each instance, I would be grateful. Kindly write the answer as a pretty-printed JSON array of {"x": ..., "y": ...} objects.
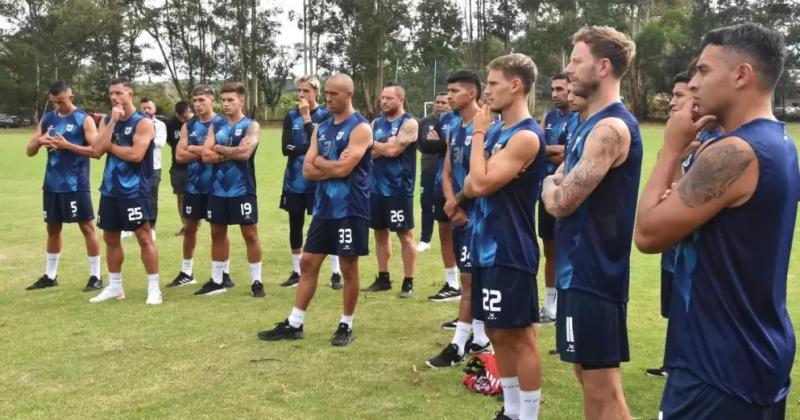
[{"x": 123, "y": 179}]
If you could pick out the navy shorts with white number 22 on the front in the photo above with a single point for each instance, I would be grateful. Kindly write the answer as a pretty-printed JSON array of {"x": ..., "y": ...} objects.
[{"x": 504, "y": 297}]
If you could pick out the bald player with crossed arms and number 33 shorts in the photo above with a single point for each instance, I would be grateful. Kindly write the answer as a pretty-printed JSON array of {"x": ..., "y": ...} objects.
[{"x": 339, "y": 159}]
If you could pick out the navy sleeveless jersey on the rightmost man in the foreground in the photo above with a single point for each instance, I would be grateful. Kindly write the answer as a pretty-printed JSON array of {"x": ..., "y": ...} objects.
[{"x": 728, "y": 322}]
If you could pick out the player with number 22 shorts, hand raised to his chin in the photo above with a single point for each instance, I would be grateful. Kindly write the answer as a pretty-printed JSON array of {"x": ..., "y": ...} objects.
[{"x": 505, "y": 172}]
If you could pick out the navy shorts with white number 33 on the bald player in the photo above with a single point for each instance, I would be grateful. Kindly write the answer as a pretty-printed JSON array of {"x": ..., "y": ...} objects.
[{"x": 343, "y": 237}]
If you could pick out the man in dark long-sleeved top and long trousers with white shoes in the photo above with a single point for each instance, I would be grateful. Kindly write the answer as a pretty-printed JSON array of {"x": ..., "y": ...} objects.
[{"x": 431, "y": 151}]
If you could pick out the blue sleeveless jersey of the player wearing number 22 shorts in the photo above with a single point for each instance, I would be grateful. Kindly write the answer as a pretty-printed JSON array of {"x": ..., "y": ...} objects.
[{"x": 503, "y": 227}]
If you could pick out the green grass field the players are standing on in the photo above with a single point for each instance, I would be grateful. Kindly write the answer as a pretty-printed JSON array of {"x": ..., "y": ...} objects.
[{"x": 196, "y": 357}]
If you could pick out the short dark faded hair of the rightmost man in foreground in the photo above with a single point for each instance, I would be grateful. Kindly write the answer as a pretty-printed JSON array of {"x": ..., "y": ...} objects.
[{"x": 765, "y": 47}]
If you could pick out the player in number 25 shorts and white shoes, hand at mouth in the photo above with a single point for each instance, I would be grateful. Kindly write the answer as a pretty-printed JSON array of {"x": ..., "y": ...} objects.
[{"x": 126, "y": 135}]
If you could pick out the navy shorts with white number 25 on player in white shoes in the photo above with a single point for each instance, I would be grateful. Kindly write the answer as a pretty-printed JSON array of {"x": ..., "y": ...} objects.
[{"x": 117, "y": 214}]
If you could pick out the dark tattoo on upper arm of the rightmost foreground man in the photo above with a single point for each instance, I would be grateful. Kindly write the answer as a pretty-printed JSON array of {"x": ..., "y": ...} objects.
[{"x": 712, "y": 174}]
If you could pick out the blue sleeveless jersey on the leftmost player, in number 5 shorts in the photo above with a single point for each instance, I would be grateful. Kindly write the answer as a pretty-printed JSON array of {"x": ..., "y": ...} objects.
[{"x": 66, "y": 171}]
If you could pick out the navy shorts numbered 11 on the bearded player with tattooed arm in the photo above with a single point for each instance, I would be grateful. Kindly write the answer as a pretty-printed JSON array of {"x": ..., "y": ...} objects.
[{"x": 591, "y": 331}]
